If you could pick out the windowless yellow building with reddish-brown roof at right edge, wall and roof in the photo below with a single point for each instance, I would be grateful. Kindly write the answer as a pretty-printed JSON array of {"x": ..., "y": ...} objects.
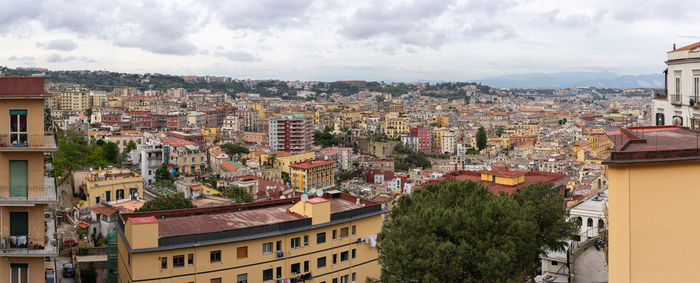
[{"x": 652, "y": 205}]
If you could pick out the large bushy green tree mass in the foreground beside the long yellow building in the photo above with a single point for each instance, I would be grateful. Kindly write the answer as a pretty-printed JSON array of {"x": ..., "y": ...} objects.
[{"x": 461, "y": 232}]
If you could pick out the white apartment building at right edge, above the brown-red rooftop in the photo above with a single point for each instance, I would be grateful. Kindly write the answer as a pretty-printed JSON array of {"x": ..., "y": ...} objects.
[{"x": 678, "y": 104}]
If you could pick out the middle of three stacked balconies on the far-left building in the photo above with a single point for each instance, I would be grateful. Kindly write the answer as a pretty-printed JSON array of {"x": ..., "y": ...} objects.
[{"x": 30, "y": 194}]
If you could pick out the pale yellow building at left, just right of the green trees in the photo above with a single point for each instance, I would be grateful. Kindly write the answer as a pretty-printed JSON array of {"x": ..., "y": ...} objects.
[{"x": 112, "y": 185}]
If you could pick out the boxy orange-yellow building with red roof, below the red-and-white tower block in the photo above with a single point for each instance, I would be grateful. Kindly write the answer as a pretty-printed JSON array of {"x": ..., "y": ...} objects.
[{"x": 312, "y": 174}]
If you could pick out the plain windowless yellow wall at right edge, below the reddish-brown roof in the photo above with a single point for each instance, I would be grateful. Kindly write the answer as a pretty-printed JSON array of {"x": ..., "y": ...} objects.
[{"x": 651, "y": 213}]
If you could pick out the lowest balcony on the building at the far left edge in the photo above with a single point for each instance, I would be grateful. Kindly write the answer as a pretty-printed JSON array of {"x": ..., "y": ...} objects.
[{"x": 26, "y": 246}]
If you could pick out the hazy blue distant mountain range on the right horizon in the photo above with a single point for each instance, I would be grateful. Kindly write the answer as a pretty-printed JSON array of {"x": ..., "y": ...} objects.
[{"x": 575, "y": 79}]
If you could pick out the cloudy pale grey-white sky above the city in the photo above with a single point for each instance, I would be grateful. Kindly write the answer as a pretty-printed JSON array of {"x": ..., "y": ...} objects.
[{"x": 419, "y": 40}]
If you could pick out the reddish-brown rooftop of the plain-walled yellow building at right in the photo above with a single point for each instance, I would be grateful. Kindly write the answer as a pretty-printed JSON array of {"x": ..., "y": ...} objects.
[{"x": 650, "y": 145}]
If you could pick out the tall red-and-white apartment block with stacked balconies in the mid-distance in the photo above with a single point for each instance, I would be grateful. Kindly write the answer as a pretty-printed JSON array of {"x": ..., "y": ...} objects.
[{"x": 293, "y": 133}]
